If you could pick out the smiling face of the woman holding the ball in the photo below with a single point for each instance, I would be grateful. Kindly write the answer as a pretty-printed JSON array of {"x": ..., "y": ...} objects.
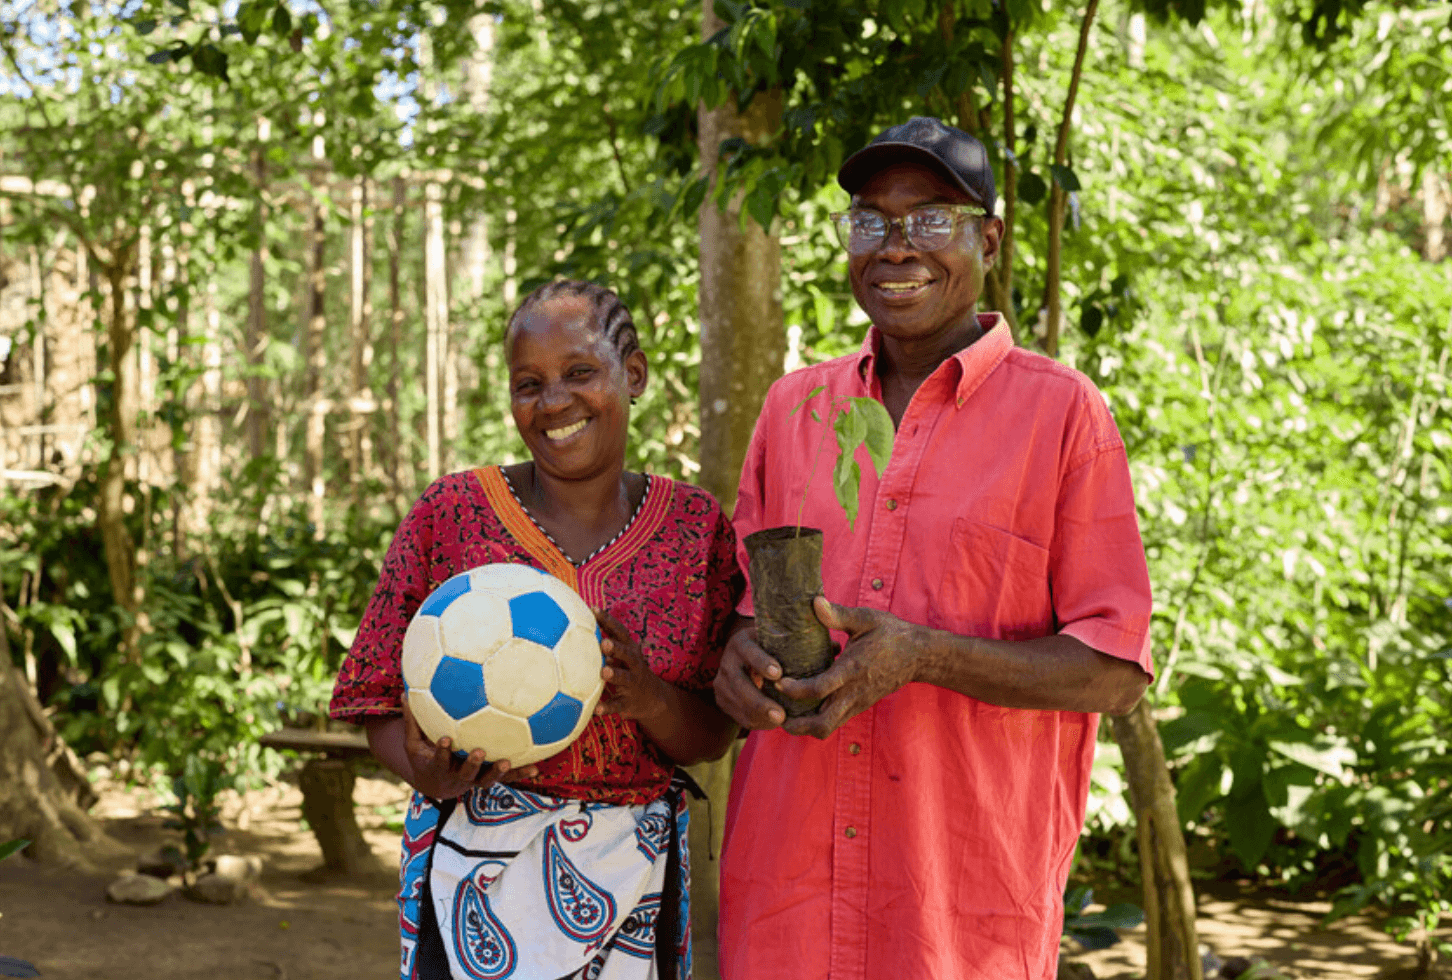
[{"x": 570, "y": 391}]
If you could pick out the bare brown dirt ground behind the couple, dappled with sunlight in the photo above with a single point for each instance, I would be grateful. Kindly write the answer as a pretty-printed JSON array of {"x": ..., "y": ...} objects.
[{"x": 300, "y": 930}]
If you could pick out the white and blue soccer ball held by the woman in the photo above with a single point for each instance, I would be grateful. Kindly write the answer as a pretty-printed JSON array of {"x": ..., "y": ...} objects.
[{"x": 503, "y": 658}]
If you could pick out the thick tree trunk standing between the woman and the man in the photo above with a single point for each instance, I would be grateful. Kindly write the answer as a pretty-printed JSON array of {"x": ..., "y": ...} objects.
[{"x": 743, "y": 349}]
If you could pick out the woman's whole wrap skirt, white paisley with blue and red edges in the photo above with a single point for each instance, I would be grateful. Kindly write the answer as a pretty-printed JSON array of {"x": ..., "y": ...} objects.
[{"x": 505, "y": 883}]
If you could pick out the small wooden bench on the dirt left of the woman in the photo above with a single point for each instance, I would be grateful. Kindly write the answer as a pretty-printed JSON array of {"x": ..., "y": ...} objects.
[{"x": 327, "y": 783}]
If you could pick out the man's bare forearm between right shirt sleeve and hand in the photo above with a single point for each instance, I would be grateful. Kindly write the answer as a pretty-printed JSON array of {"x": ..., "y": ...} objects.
[{"x": 1052, "y": 673}]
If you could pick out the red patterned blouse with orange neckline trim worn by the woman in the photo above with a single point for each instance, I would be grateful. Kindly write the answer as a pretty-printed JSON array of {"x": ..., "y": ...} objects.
[{"x": 670, "y": 579}]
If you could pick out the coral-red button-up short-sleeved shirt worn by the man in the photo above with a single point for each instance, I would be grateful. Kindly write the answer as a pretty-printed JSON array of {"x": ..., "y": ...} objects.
[{"x": 931, "y": 836}]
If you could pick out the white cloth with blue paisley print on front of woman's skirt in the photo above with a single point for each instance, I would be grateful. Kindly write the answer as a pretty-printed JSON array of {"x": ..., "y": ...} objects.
[{"x": 550, "y": 891}]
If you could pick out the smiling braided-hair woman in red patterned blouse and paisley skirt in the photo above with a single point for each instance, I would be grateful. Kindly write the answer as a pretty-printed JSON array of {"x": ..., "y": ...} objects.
[{"x": 576, "y": 866}]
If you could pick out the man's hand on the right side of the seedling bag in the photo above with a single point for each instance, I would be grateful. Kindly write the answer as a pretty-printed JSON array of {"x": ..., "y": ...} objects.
[{"x": 882, "y": 656}]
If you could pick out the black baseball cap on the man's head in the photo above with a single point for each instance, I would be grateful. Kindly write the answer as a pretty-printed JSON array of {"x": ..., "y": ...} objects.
[{"x": 929, "y": 142}]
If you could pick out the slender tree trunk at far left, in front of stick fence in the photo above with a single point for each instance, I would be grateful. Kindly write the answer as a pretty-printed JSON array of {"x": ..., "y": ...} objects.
[{"x": 117, "y": 544}]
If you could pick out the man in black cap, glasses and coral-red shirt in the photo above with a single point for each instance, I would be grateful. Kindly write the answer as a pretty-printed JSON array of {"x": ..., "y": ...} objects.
[{"x": 991, "y": 600}]
